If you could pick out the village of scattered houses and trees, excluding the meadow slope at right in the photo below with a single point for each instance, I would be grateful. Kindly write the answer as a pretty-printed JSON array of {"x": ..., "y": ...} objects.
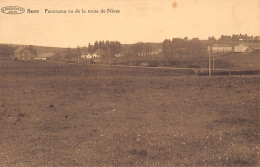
[{"x": 139, "y": 54}]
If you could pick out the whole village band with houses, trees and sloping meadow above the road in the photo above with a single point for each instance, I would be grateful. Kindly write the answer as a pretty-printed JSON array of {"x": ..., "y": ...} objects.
[{"x": 178, "y": 53}]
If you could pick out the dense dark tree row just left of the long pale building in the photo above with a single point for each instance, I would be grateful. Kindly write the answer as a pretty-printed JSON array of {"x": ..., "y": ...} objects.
[{"x": 181, "y": 47}]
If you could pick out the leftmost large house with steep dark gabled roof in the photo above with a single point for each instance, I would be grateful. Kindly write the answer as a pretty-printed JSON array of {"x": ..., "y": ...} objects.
[{"x": 24, "y": 53}]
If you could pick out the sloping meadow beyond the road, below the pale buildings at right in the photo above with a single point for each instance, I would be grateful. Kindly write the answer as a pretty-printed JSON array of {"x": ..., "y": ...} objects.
[{"x": 243, "y": 61}]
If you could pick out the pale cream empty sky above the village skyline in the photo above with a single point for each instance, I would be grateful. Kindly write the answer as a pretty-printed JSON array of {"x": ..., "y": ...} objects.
[{"x": 138, "y": 21}]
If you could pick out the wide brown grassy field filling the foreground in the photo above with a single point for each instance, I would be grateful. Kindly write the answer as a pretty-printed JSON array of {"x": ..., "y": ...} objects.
[{"x": 89, "y": 115}]
